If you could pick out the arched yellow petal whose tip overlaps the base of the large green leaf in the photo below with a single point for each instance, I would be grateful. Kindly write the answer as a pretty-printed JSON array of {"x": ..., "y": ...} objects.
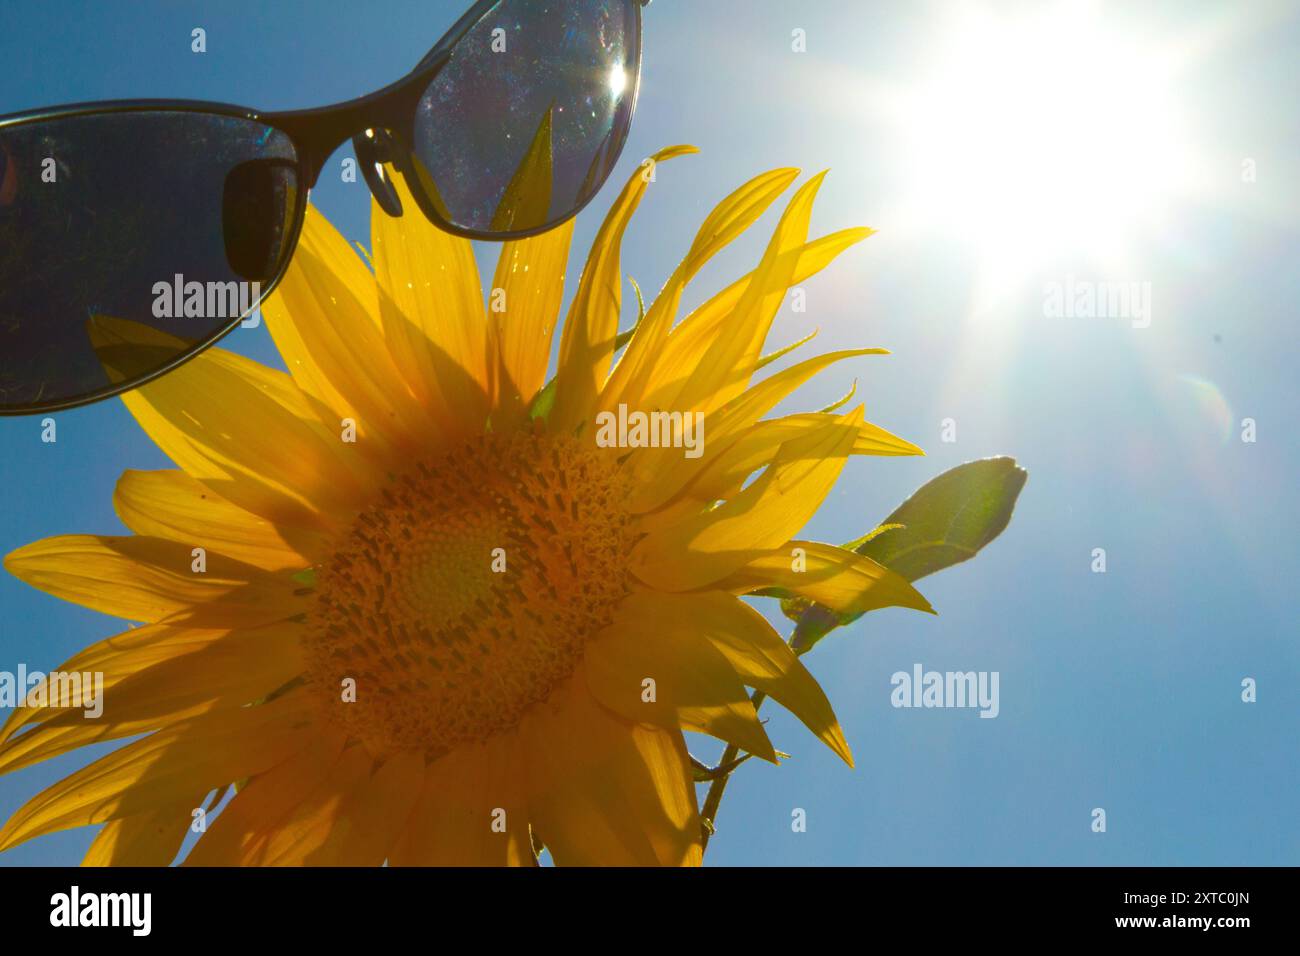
[{"x": 840, "y": 579}]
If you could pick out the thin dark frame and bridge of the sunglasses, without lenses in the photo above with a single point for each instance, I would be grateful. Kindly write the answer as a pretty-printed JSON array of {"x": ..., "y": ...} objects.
[{"x": 317, "y": 135}]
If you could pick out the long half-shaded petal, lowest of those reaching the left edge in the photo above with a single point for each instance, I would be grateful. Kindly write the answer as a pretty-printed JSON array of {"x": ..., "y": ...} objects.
[{"x": 167, "y": 768}]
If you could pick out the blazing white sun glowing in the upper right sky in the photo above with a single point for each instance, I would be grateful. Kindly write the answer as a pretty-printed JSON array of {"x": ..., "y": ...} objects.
[{"x": 1050, "y": 135}]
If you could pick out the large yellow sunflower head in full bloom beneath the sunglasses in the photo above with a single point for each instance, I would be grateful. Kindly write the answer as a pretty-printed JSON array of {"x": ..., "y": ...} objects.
[{"x": 401, "y": 605}]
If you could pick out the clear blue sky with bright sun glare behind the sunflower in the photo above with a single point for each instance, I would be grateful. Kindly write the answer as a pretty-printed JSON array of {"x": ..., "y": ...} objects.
[{"x": 1119, "y": 690}]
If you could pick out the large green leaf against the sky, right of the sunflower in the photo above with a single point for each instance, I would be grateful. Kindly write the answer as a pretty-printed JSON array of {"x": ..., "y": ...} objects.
[{"x": 946, "y": 522}]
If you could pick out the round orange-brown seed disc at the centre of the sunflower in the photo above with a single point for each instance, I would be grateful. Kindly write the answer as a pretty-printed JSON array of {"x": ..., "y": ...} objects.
[{"x": 469, "y": 591}]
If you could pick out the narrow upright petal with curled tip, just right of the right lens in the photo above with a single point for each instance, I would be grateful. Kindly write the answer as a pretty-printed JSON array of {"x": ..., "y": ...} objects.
[{"x": 587, "y": 347}]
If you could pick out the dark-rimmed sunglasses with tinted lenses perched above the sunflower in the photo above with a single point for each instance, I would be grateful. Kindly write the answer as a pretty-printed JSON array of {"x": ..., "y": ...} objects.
[{"x": 135, "y": 235}]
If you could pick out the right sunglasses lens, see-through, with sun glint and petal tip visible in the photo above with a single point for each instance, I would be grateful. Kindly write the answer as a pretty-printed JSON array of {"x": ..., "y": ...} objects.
[{"x": 527, "y": 119}]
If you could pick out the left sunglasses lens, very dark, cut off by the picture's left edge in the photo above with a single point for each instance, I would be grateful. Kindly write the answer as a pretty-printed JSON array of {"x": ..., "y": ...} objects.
[{"x": 129, "y": 240}]
